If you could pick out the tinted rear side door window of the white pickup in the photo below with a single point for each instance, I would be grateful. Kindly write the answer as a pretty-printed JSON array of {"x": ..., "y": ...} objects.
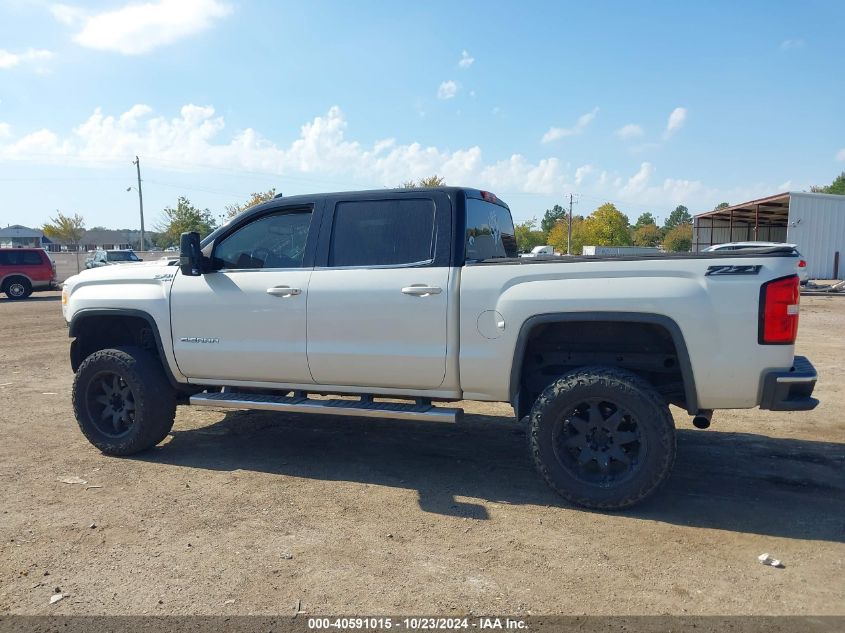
[{"x": 383, "y": 233}]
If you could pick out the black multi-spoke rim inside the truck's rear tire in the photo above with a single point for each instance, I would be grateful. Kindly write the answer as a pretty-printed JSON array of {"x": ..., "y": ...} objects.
[{"x": 599, "y": 442}]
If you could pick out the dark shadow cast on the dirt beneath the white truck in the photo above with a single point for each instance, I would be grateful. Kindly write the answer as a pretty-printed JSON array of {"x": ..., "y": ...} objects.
[{"x": 728, "y": 481}]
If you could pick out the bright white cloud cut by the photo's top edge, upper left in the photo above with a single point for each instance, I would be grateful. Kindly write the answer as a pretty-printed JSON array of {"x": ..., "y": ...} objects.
[{"x": 135, "y": 29}]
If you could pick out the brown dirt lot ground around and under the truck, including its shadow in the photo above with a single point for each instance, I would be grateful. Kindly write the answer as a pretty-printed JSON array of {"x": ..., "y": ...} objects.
[{"x": 248, "y": 512}]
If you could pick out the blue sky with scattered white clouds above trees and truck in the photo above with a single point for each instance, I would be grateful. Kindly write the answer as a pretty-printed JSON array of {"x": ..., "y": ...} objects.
[{"x": 647, "y": 105}]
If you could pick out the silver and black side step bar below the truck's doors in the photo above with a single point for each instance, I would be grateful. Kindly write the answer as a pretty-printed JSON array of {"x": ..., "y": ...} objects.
[{"x": 364, "y": 408}]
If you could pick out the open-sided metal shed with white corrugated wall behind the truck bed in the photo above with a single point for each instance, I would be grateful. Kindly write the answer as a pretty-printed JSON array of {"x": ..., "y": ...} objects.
[{"x": 814, "y": 222}]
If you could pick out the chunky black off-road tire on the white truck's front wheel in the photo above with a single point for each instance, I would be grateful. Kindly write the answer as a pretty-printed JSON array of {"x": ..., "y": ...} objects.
[{"x": 153, "y": 398}]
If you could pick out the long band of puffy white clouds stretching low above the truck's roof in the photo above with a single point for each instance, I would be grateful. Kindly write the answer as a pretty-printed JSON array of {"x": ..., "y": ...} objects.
[{"x": 196, "y": 140}]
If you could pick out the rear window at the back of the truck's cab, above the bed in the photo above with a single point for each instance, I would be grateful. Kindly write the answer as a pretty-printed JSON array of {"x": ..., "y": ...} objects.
[{"x": 489, "y": 231}]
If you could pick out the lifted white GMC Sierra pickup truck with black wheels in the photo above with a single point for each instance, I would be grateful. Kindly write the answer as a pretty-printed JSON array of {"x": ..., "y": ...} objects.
[{"x": 418, "y": 296}]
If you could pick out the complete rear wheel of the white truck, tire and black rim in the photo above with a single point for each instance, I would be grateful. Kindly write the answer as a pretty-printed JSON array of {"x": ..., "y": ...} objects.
[{"x": 602, "y": 438}]
